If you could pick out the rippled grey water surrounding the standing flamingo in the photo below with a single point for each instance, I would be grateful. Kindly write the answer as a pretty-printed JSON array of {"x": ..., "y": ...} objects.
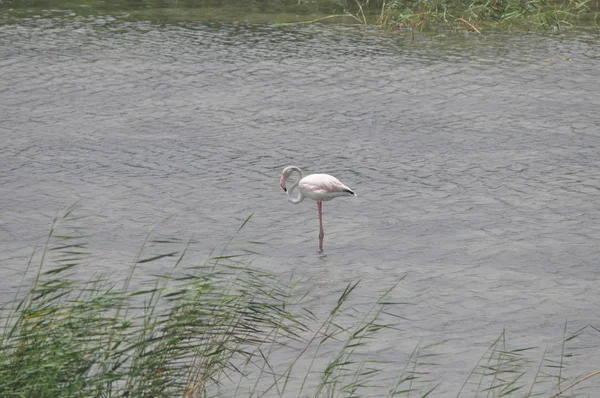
[{"x": 475, "y": 161}]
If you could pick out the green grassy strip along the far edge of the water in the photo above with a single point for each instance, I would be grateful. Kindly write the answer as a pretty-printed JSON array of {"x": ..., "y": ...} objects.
[{"x": 421, "y": 15}]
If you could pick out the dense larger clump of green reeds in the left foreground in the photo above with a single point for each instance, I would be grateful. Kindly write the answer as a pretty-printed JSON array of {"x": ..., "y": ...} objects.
[{"x": 189, "y": 333}]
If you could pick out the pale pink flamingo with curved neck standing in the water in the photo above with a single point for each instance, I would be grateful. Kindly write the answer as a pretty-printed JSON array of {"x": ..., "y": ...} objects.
[{"x": 318, "y": 187}]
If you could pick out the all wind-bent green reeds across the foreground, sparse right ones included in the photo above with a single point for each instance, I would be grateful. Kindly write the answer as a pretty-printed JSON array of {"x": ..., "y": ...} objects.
[{"x": 225, "y": 327}]
